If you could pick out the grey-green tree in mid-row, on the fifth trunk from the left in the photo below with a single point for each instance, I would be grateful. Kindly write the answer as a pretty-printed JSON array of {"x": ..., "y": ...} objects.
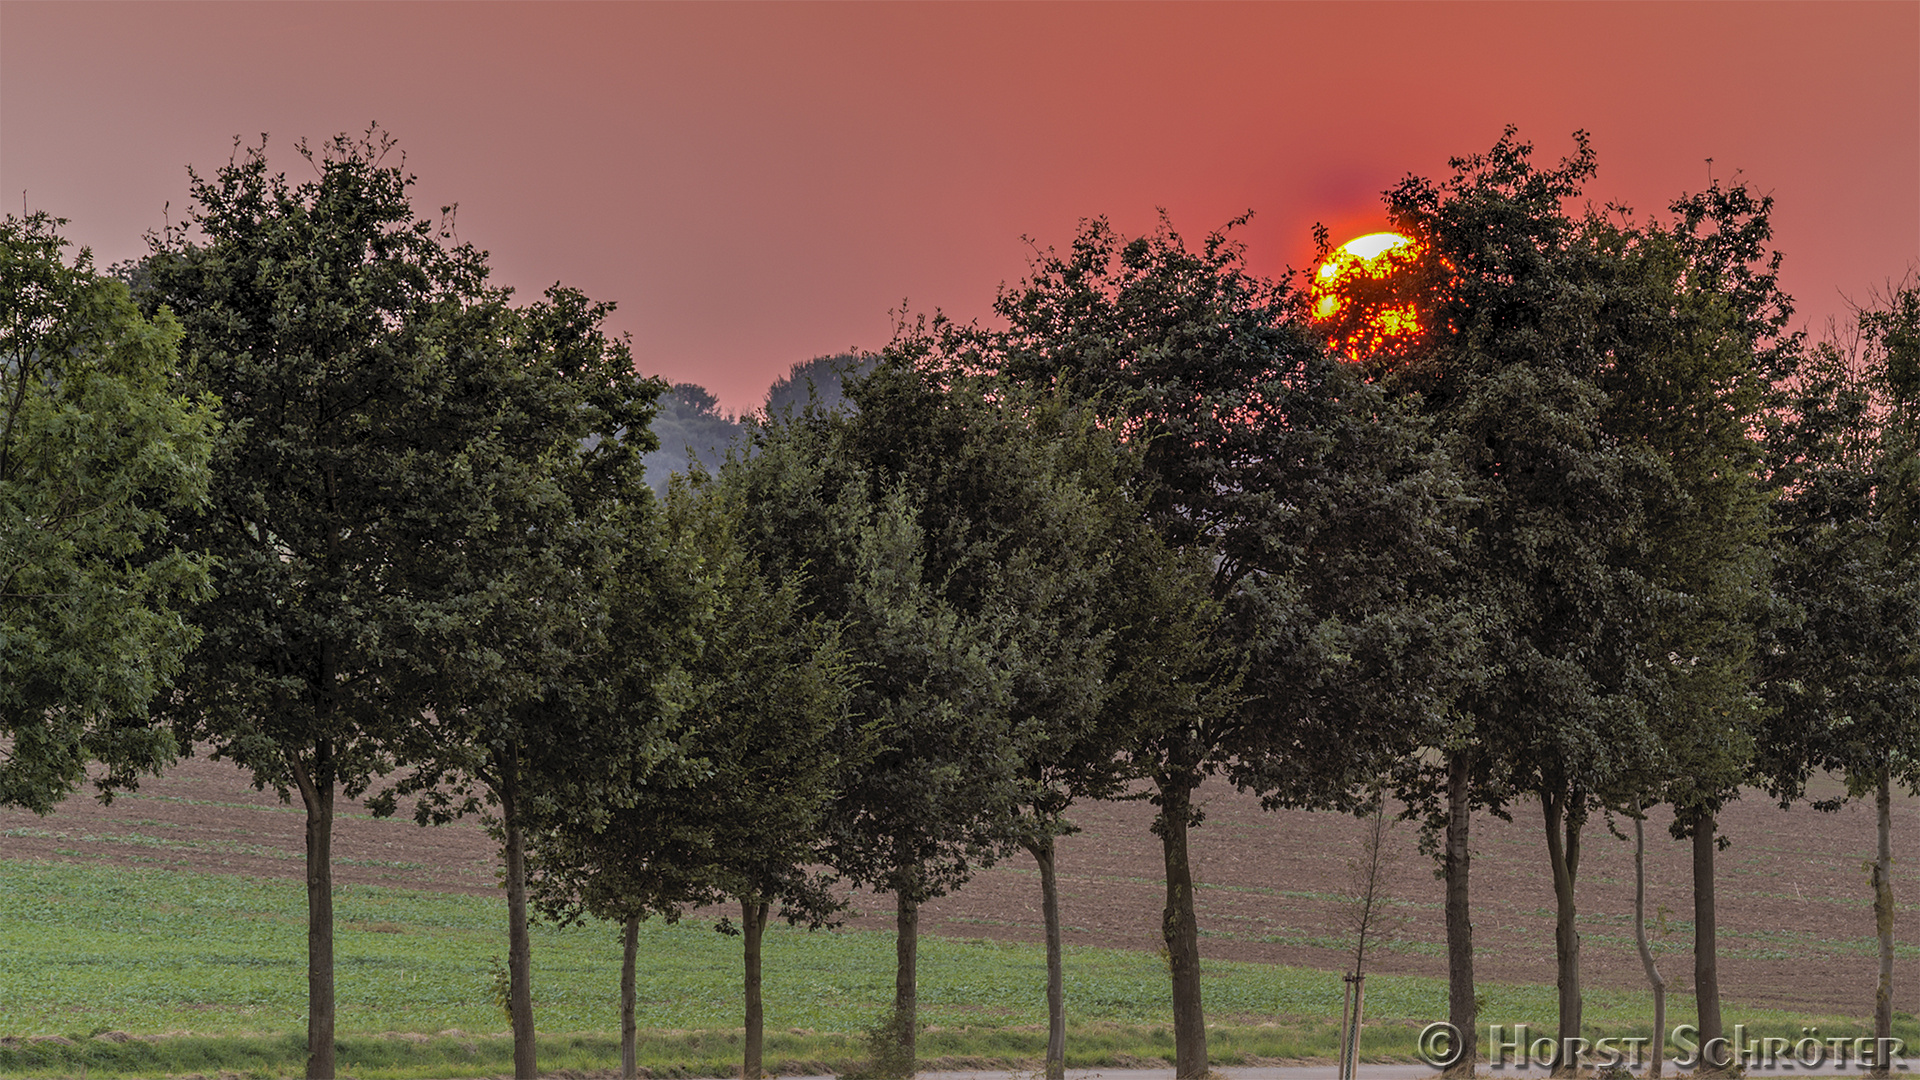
[{"x": 946, "y": 520}]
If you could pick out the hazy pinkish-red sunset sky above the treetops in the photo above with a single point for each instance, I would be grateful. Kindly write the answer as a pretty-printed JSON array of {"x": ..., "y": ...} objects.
[{"x": 763, "y": 184}]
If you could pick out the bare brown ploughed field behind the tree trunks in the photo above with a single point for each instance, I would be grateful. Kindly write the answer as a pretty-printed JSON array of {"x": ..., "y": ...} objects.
[{"x": 1796, "y": 914}]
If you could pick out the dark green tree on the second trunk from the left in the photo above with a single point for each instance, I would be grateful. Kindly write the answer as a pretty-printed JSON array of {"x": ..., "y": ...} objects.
[{"x": 544, "y": 687}]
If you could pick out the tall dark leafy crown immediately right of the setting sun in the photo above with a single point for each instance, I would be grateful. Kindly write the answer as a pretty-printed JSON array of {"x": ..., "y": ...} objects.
[{"x": 1556, "y": 699}]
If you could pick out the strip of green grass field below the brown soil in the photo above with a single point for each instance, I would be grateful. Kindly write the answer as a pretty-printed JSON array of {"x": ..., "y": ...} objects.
[{"x": 218, "y": 966}]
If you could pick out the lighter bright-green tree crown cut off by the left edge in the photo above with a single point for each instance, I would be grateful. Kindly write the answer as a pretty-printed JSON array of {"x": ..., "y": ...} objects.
[{"x": 99, "y": 447}]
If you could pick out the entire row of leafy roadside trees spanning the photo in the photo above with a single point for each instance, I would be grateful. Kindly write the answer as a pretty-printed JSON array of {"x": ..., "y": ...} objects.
[{"x": 1604, "y": 535}]
